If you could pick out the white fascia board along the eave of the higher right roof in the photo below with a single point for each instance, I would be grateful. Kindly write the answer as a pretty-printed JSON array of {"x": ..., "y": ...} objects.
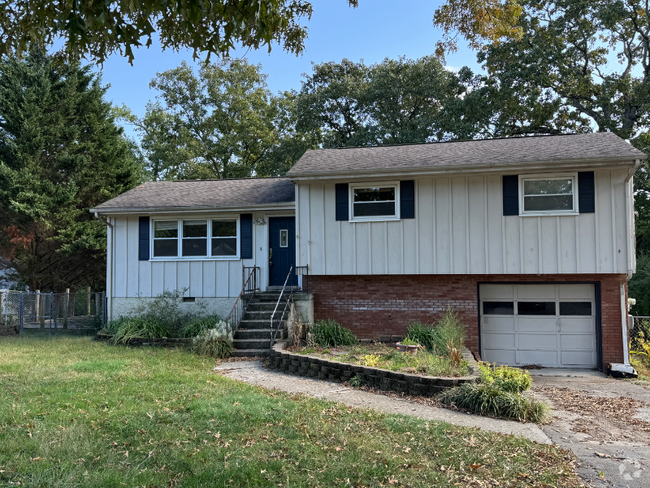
[{"x": 541, "y": 166}]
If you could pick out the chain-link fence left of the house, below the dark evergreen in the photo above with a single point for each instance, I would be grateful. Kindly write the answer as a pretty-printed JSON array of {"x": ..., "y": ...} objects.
[{"x": 82, "y": 312}]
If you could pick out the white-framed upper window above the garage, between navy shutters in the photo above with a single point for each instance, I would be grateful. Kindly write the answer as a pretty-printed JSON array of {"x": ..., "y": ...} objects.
[{"x": 554, "y": 194}]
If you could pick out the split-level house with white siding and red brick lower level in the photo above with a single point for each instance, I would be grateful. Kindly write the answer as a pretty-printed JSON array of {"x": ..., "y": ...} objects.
[{"x": 530, "y": 239}]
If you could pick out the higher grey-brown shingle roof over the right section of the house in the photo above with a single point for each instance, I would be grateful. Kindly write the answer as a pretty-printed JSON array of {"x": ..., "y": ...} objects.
[{"x": 486, "y": 152}]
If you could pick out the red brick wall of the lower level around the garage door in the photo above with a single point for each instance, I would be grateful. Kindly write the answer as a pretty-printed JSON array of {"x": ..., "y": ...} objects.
[{"x": 376, "y": 307}]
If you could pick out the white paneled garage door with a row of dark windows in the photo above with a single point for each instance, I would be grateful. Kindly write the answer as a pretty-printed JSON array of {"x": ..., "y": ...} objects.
[{"x": 547, "y": 325}]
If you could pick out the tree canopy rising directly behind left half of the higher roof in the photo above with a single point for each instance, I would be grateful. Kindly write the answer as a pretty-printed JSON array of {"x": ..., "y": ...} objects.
[{"x": 396, "y": 101}]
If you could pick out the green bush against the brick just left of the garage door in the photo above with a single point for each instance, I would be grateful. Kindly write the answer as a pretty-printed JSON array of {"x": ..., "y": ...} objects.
[{"x": 436, "y": 336}]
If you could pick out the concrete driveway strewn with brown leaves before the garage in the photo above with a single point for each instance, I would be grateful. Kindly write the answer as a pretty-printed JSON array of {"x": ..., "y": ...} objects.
[{"x": 604, "y": 421}]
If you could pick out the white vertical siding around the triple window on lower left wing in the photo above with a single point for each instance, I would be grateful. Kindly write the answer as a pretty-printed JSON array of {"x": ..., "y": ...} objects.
[{"x": 209, "y": 278}]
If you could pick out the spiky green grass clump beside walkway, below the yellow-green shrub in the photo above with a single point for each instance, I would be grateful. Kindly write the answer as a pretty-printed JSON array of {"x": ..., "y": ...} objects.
[{"x": 489, "y": 399}]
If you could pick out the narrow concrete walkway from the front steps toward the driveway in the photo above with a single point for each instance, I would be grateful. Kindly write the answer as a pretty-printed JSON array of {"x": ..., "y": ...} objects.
[{"x": 253, "y": 373}]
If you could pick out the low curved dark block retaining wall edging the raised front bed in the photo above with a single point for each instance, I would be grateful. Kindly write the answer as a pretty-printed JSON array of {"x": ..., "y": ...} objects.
[{"x": 383, "y": 379}]
